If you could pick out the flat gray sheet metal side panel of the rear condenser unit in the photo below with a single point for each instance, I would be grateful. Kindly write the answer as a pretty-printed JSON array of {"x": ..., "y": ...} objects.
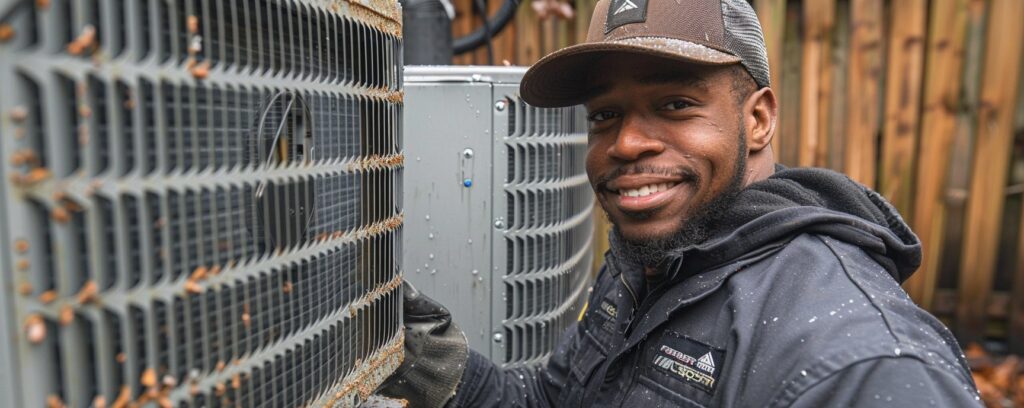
[{"x": 448, "y": 246}]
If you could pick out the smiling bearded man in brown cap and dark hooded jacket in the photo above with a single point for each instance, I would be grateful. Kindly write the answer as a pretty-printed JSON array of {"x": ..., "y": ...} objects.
[{"x": 731, "y": 281}]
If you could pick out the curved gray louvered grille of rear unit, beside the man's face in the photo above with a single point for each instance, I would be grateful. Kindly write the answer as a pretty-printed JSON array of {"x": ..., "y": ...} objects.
[{"x": 549, "y": 207}]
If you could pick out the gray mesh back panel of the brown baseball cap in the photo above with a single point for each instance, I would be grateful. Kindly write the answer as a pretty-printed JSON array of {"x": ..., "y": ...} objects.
[{"x": 744, "y": 37}]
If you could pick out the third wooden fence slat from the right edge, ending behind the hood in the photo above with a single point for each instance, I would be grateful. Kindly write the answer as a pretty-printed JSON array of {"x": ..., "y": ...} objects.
[{"x": 904, "y": 77}]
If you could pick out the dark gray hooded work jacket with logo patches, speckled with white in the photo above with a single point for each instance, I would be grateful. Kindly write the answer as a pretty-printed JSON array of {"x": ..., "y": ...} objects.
[{"x": 795, "y": 301}]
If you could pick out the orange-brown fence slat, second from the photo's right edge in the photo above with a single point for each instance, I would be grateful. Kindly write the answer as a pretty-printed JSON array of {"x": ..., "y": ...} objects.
[{"x": 943, "y": 86}]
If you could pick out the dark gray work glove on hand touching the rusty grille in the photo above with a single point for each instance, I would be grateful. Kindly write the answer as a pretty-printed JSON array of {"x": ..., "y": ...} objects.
[{"x": 437, "y": 352}]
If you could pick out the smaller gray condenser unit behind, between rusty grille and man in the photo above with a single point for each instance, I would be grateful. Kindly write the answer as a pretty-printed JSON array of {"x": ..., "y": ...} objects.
[{"x": 499, "y": 223}]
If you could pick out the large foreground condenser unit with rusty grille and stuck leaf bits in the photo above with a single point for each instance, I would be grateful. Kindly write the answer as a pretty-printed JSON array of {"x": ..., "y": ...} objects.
[{"x": 201, "y": 202}]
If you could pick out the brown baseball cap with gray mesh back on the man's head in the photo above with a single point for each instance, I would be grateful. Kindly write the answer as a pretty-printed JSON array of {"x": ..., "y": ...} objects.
[{"x": 703, "y": 32}]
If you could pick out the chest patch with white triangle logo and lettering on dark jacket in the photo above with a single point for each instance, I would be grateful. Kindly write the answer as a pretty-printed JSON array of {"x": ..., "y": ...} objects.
[{"x": 690, "y": 361}]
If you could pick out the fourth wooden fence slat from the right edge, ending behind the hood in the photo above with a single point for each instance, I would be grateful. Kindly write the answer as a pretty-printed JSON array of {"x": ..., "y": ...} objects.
[{"x": 864, "y": 89}]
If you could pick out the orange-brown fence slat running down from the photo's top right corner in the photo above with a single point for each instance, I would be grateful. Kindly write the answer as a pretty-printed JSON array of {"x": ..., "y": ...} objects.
[{"x": 989, "y": 176}]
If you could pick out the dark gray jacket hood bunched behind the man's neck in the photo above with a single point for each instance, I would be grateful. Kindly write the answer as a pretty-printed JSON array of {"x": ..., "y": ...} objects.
[{"x": 796, "y": 201}]
